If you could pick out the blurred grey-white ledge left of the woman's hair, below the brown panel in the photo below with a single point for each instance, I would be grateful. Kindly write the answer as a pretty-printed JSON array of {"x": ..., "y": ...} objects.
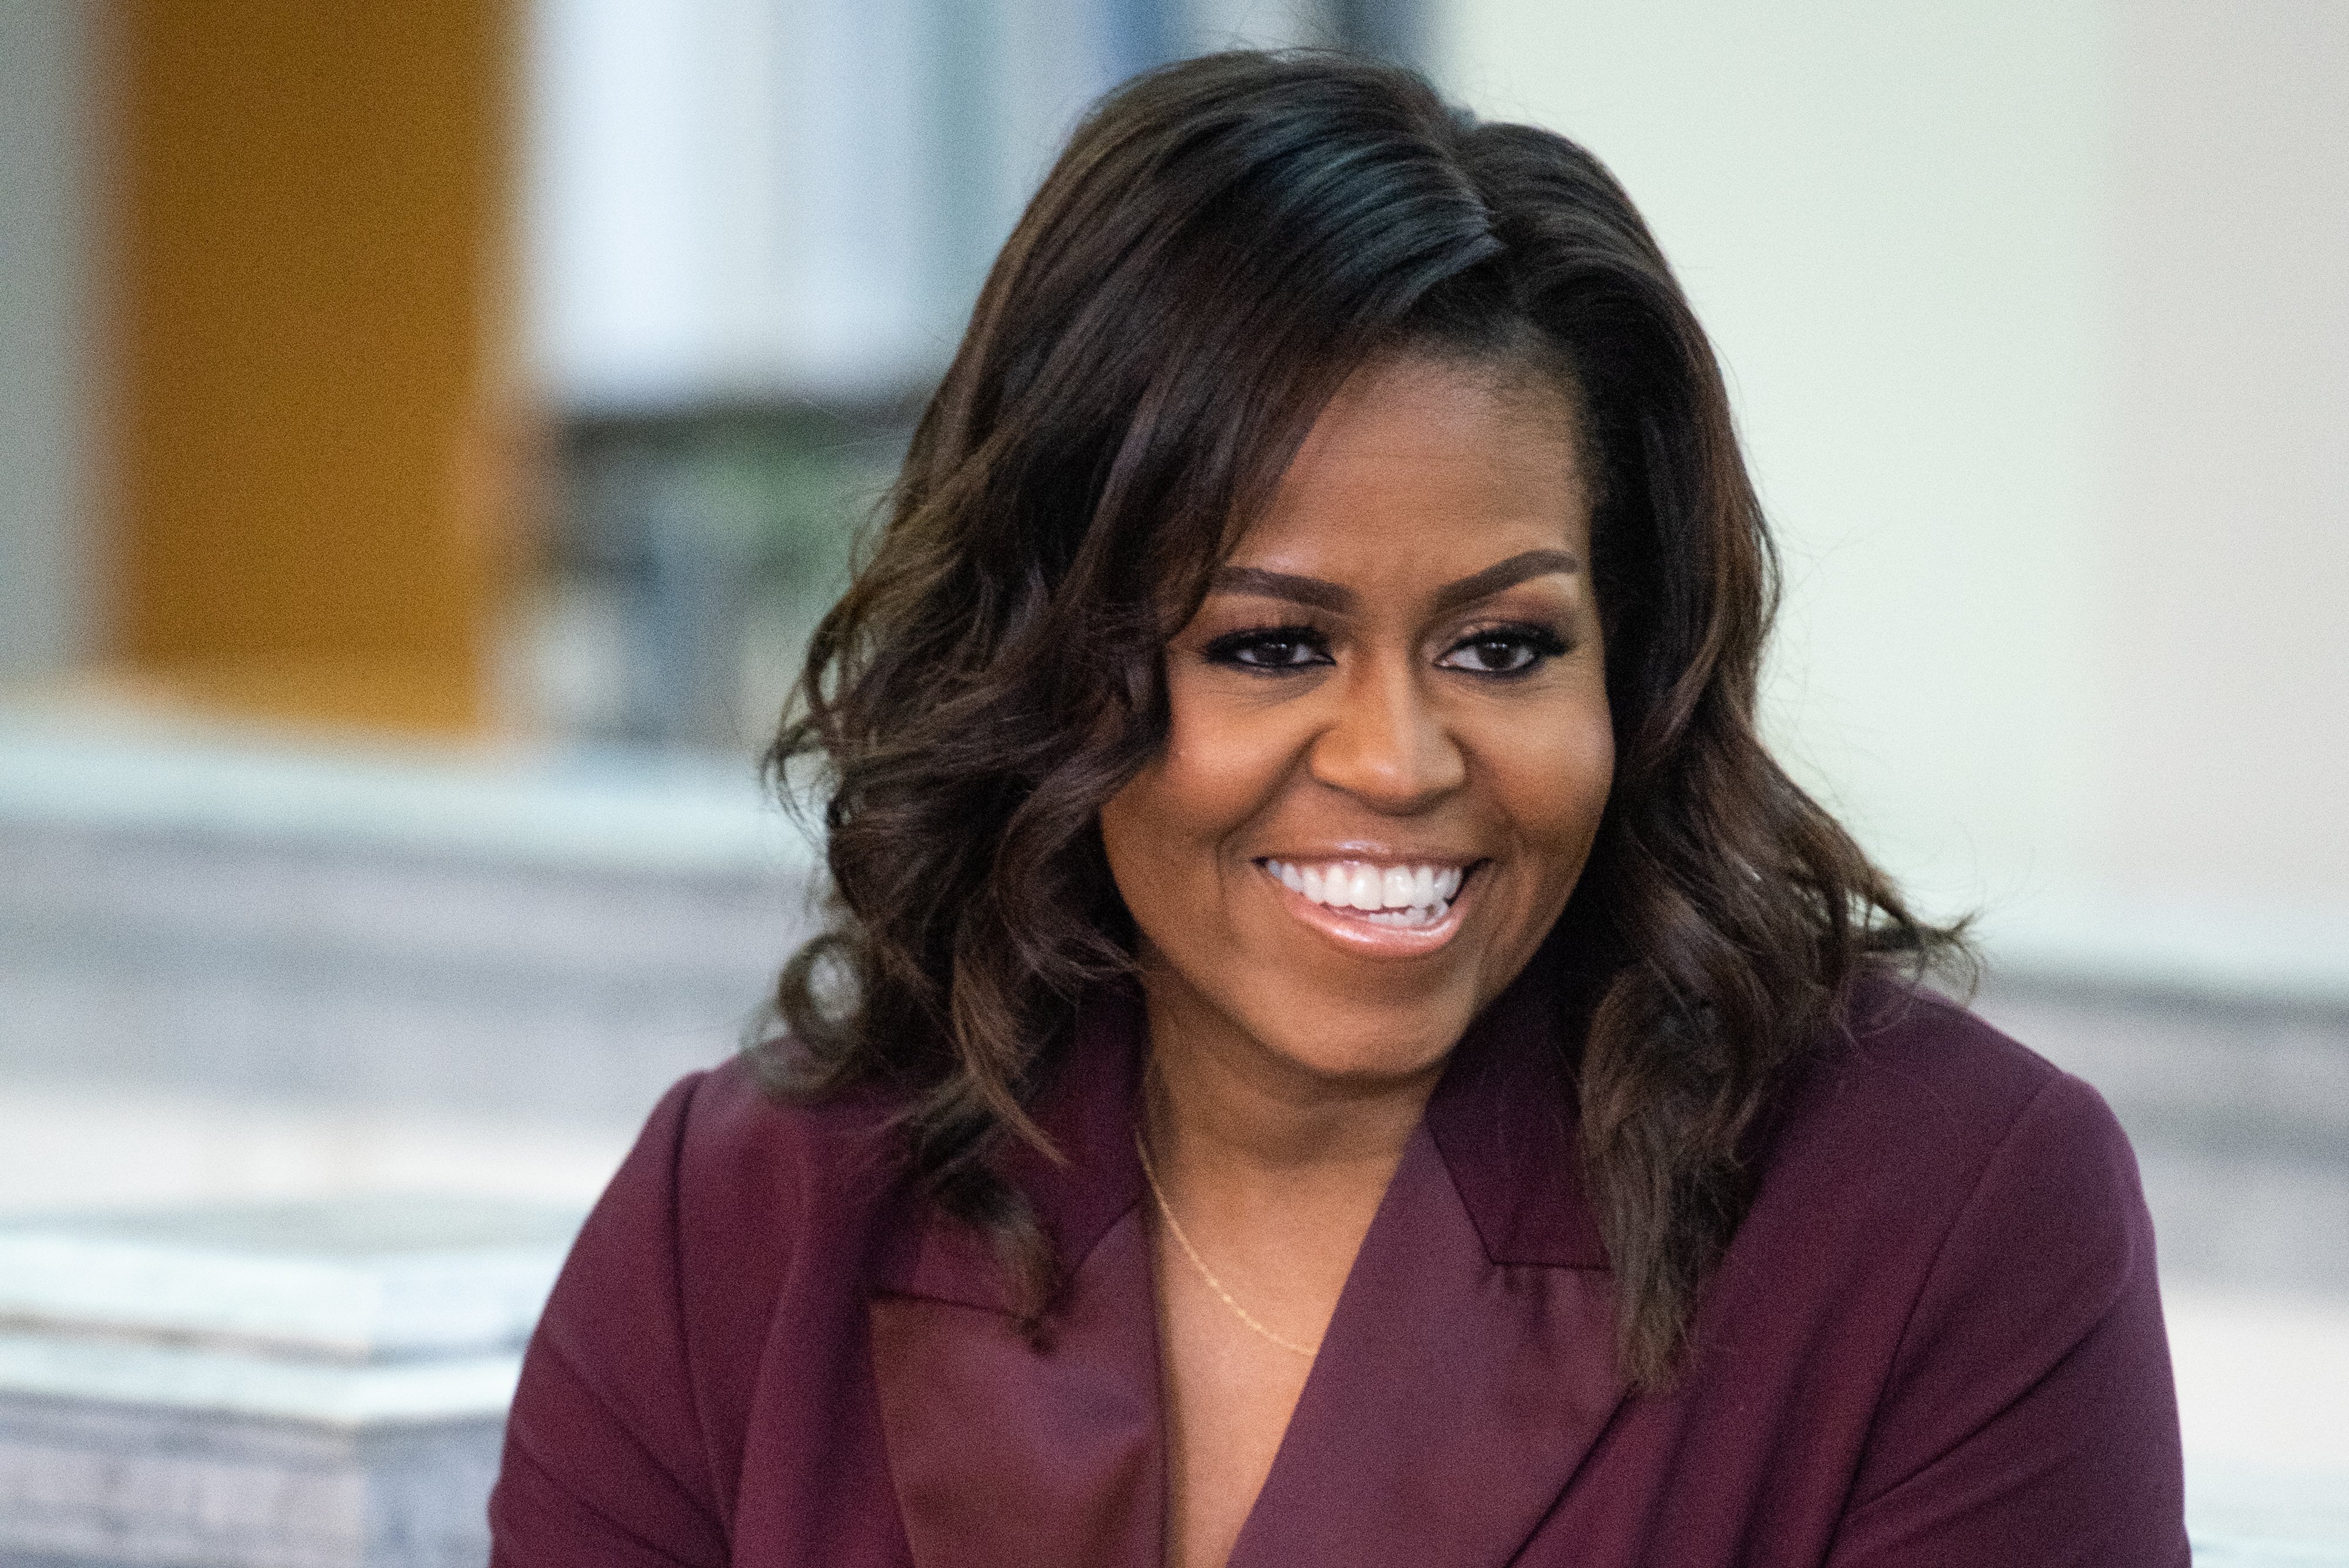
[{"x": 527, "y": 933}]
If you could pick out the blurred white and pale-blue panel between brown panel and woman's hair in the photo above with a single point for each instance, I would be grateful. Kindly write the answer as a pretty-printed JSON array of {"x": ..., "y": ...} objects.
[{"x": 751, "y": 201}]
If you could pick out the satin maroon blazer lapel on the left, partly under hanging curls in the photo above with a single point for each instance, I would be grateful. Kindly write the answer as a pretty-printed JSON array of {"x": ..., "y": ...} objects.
[{"x": 1007, "y": 1454}]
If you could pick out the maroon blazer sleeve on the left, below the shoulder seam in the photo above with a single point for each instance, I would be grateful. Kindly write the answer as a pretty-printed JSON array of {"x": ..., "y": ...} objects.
[{"x": 605, "y": 1454}]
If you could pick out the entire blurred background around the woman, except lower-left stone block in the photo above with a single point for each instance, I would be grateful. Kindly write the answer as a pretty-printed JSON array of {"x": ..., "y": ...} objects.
[{"x": 429, "y": 433}]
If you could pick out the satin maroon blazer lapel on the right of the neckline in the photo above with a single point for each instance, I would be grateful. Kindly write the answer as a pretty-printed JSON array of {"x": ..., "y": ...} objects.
[{"x": 1469, "y": 1365}]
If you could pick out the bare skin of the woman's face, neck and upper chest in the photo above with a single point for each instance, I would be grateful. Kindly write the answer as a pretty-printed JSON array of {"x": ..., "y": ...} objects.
[{"x": 1399, "y": 663}]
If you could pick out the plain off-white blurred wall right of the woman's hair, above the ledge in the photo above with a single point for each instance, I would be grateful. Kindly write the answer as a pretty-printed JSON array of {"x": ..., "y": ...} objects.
[{"x": 2038, "y": 323}]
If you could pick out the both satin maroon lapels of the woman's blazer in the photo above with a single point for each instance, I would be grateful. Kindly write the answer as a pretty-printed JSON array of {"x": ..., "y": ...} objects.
[{"x": 1465, "y": 1374}]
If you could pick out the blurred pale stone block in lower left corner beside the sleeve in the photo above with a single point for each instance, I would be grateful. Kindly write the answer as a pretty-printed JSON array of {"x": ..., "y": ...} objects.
[{"x": 290, "y": 1386}]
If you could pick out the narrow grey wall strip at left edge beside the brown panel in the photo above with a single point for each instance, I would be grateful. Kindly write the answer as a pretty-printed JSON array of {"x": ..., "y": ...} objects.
[{"x": 48, "y": 555}]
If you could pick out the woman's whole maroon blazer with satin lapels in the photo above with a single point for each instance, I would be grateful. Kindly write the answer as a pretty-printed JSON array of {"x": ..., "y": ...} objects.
[{"x": 1937, "y": 1339}]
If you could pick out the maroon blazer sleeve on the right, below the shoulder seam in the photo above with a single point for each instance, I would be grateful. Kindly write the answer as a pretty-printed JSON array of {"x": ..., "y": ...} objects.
[{"x": 2031, "y": 1414}]
